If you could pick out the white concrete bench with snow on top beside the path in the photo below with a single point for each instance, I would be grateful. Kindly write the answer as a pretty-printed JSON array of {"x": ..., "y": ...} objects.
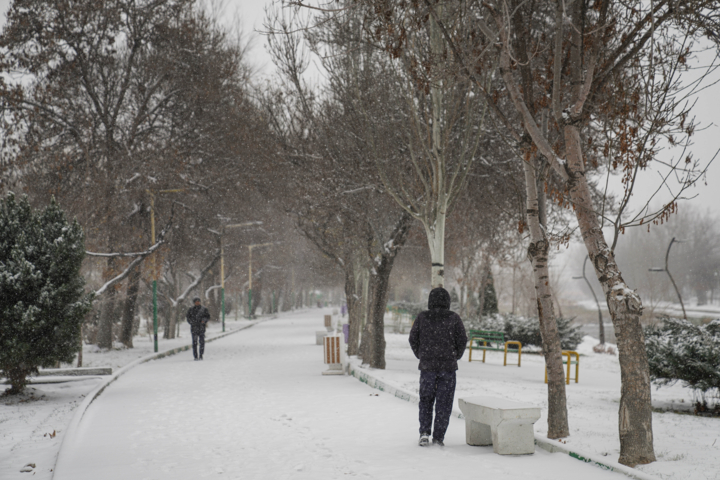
[{"x": 506, "y": 425}]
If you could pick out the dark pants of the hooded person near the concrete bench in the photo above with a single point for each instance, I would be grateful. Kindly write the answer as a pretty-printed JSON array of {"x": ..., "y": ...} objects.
[{"x": 436, "y": 389}]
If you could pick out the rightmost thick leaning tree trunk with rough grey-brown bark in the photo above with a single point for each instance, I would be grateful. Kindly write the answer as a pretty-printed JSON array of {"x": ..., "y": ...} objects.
[{"x": 625, "y": 307}]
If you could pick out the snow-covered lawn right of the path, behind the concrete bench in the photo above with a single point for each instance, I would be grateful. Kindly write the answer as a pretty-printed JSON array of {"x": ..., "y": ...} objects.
[{"x": 687, "y": 447}]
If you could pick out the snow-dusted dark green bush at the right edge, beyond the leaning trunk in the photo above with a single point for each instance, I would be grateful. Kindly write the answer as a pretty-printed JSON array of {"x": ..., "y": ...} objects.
[{"x": 681, "y": 351}]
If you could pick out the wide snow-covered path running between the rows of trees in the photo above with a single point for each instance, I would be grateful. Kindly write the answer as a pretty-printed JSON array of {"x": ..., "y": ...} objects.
[{"x": 258, "y": 407}]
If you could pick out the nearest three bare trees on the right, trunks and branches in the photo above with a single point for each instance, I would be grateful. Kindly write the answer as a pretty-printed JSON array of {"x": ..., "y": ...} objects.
[{"x": 570, "y": 89}]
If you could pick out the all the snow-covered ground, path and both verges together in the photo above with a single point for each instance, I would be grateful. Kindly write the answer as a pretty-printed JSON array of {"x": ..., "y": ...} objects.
[{"x": 257, "y": 407}]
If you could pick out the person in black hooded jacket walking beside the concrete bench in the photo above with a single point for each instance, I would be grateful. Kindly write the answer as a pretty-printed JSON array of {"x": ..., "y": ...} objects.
[{"x": 438, "y": 340}]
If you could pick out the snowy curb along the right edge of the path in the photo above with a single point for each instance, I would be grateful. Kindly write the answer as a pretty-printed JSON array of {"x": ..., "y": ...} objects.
[{"x": 355, "y": 370}]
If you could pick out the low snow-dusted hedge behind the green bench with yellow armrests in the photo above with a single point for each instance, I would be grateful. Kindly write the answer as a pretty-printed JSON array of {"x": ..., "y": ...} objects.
[{"x": 527, "y": 330}]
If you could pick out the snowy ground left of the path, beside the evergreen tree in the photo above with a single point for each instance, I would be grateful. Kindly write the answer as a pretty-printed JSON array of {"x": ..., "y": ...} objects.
[{"x": 33, "y": 425}]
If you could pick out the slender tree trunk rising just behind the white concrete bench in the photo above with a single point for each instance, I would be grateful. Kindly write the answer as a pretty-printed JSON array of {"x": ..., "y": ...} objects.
[{"x": 538, "y": 256}]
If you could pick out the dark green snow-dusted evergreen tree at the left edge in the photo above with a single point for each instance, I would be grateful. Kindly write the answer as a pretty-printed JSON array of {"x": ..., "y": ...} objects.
[{"x": 42, "y": 298}]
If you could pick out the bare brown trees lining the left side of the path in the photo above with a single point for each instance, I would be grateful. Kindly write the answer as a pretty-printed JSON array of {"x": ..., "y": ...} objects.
[{"x": 127, "y": 110}]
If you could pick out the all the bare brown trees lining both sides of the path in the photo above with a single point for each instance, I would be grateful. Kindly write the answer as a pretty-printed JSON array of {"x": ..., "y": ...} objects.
[{"x": 485, "y": 124}]
